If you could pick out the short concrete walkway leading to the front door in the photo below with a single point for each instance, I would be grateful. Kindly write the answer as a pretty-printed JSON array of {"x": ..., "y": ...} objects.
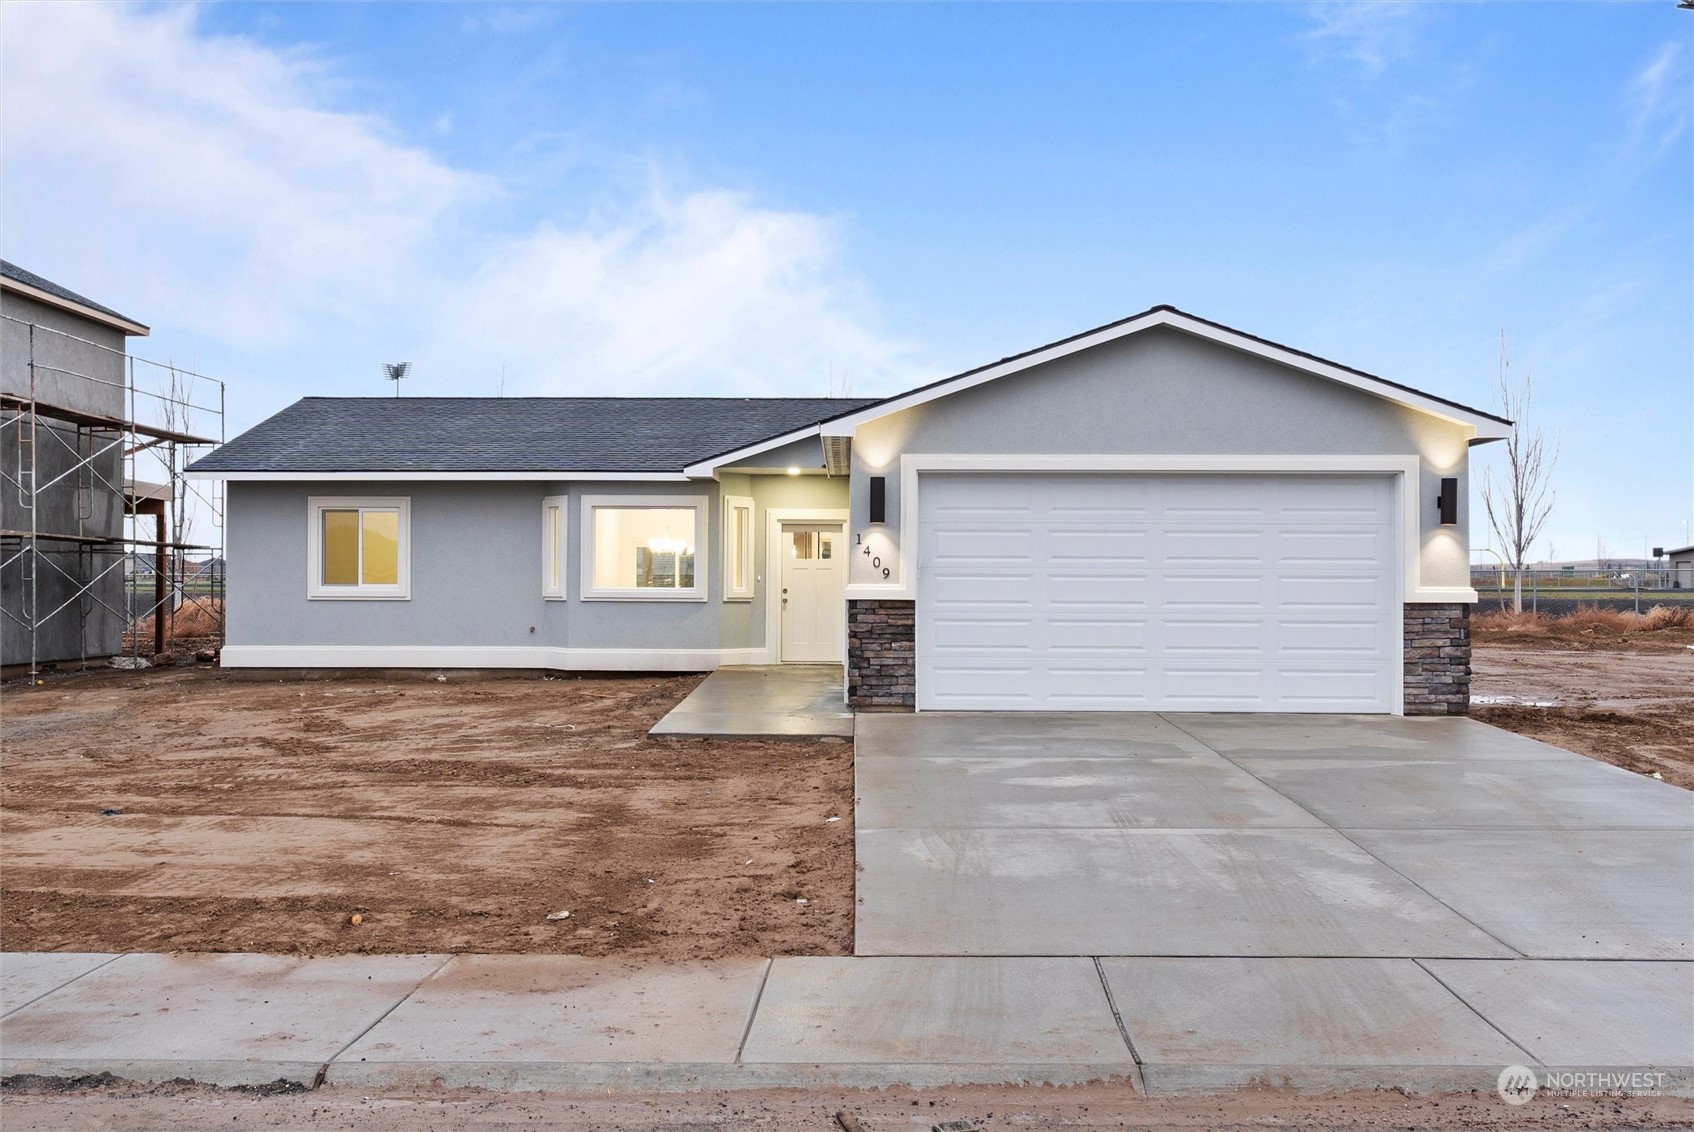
[{"x": 763, "y": 702}]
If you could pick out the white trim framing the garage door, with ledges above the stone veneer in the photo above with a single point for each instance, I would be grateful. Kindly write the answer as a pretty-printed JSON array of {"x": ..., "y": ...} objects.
[{"x": 902, "y": 587}]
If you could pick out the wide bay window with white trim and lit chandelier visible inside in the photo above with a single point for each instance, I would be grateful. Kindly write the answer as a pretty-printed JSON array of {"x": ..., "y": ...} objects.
[{"x": 645, "y": 550}]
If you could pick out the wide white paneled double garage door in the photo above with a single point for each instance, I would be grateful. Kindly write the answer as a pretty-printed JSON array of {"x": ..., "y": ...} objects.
[{"x": 1158, "y": 592}]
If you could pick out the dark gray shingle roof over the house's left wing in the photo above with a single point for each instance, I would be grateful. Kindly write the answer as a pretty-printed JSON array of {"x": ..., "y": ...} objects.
[{"x": 556, "y": 435}]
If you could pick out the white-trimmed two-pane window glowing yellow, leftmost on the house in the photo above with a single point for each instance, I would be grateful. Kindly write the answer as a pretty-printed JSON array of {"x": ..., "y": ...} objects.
[{"x": 358, "y": 548}]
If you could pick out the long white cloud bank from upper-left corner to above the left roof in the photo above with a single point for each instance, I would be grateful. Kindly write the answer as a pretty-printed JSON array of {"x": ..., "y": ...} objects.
[{"x": 219, "y": 182}]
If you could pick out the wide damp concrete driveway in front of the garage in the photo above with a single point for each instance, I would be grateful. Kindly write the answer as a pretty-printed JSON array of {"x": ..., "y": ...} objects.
[{"x": 1282, "y": 836}]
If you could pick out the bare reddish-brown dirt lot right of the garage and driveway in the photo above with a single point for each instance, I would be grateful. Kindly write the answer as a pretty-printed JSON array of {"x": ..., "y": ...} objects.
[{"x": 1608, "y": 685}]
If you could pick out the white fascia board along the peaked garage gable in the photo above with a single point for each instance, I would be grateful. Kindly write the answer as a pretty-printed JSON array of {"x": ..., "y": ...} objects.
[{"x": 1486, "y": 430}]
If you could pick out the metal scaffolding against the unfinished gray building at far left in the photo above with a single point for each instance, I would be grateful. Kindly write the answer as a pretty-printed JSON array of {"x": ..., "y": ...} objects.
[{"x": 106, "y": 531}]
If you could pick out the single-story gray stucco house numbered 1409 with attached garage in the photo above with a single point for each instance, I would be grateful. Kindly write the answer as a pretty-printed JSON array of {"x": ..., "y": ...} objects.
[{"x": 1160, "y": 514}]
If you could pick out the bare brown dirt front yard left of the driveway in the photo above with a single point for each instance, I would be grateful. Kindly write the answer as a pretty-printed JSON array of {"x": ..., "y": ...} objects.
[{"x": 196, "y": 811}]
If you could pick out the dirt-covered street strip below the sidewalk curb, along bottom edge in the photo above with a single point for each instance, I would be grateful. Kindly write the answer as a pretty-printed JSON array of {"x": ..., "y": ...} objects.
[{"x": 978, "y": 1109}]
